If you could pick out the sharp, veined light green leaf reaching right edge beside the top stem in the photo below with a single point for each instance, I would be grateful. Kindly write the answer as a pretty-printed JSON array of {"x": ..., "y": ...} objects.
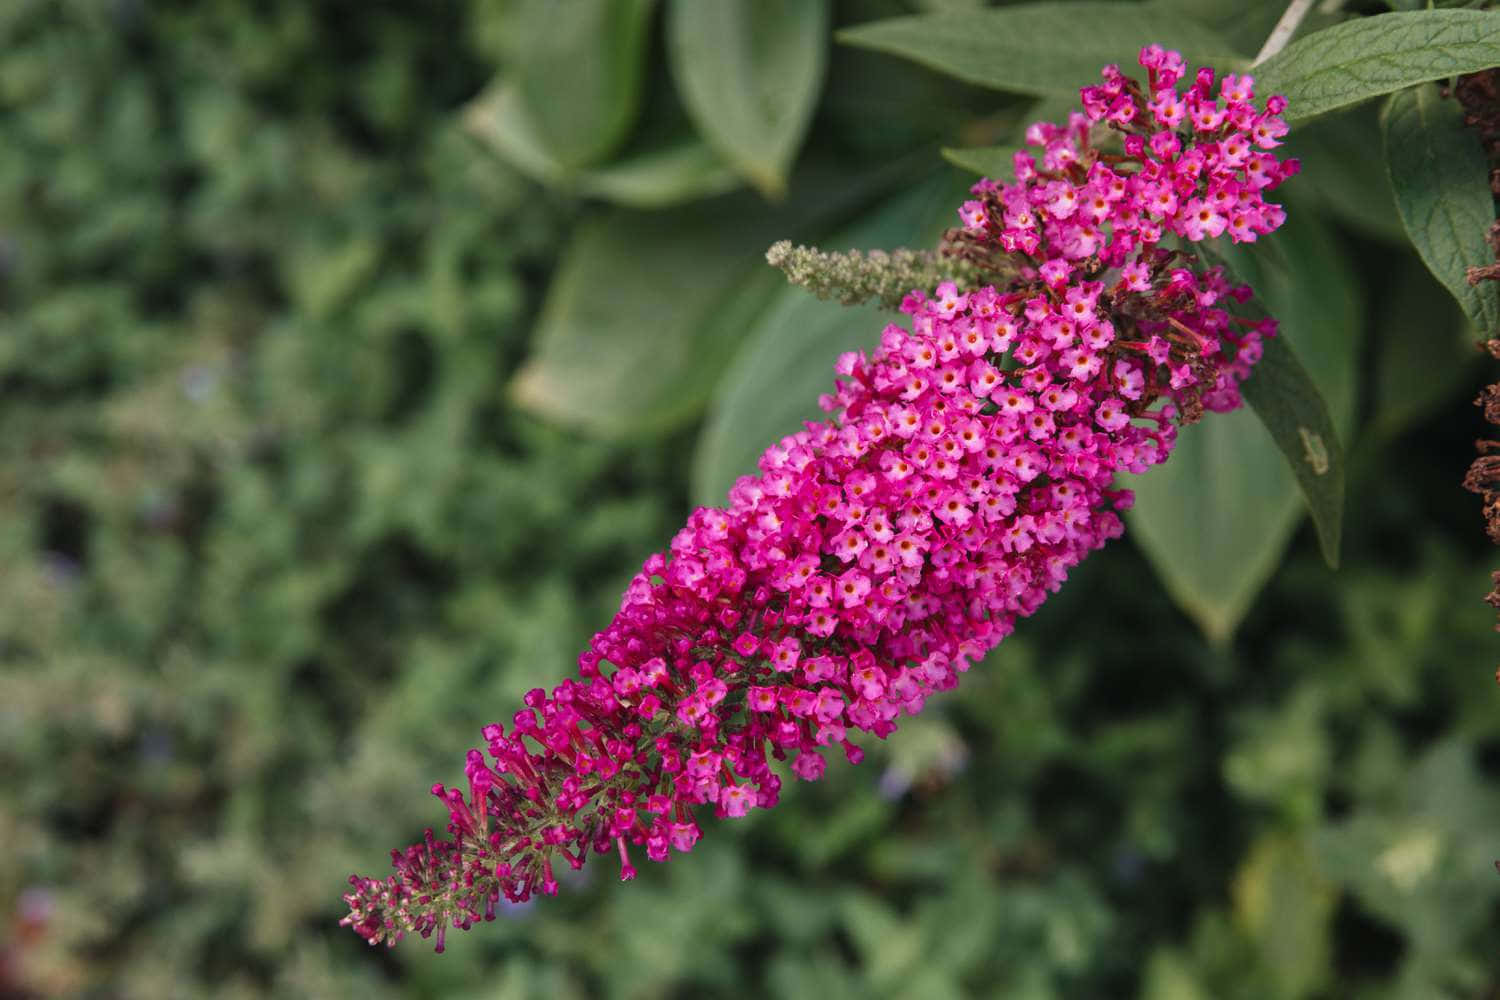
[{"x": 1367, "y": 58}]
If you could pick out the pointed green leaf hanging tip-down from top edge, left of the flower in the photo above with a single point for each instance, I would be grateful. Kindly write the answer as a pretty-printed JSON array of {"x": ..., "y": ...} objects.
[{"x": 749, "y": 73}]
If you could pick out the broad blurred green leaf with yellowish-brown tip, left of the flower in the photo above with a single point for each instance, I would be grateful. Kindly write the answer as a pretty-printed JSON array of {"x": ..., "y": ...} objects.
[{"x": 647, "y": 308}]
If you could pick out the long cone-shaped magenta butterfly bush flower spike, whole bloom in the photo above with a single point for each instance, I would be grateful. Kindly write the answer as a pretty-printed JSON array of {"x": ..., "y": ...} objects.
[{"x": 967, "y": 466}]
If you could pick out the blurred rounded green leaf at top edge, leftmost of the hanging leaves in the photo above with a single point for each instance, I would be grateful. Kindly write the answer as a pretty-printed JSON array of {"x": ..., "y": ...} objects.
[{"x": 580, "y": 74}]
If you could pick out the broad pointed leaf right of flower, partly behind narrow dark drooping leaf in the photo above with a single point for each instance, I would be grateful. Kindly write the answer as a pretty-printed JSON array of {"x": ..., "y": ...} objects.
[{"x": 1216, "y": 518}]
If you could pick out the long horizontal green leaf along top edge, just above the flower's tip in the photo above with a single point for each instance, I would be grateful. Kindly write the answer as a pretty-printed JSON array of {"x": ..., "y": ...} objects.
[{"x": 1039, "y": 49}]
